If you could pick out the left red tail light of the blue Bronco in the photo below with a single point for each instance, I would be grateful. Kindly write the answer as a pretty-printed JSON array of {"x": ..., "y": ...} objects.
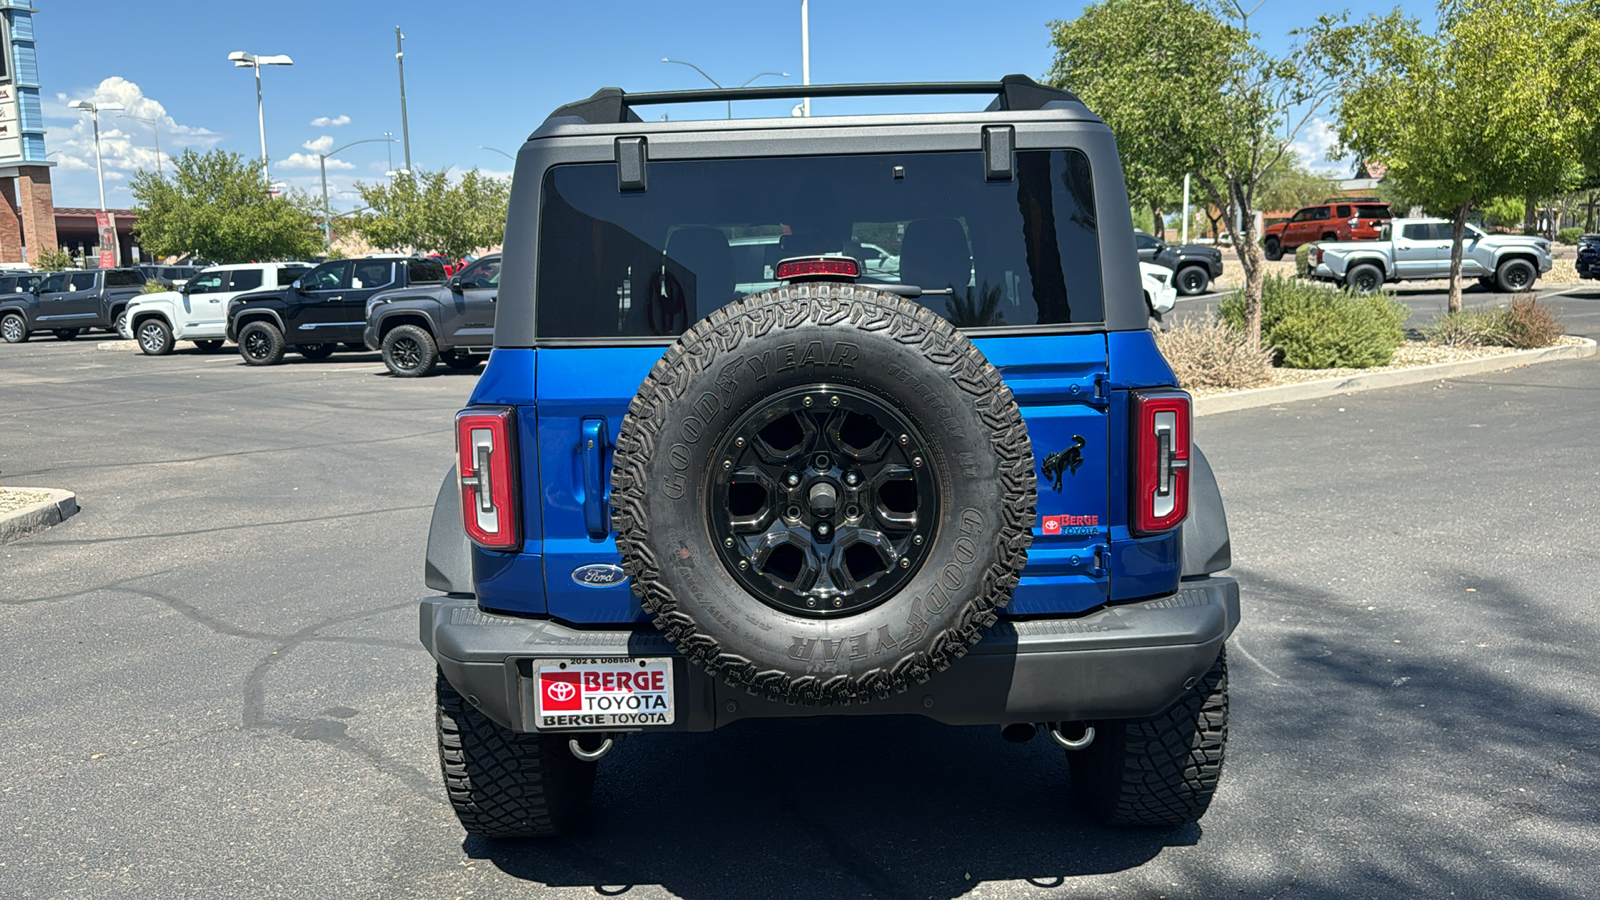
[{"x": 487, "y": 460}]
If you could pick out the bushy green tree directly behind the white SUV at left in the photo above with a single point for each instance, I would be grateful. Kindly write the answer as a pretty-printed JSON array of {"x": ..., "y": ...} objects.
[{"x": 217, "y": 206}]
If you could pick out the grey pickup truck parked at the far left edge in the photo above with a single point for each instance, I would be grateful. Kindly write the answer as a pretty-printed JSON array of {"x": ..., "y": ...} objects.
[{"x": 71, "y": 303}]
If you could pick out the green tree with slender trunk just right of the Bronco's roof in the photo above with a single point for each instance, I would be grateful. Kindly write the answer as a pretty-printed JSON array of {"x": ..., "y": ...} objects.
[{"x": 1185, "y": 90}]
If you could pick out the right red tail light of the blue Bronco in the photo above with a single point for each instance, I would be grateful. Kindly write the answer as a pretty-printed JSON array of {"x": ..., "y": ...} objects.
[{"x": 1161, "y": 467}]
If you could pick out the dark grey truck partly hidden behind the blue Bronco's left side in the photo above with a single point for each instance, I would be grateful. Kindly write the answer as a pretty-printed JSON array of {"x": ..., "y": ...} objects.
[{"x": 423, "y": 326}]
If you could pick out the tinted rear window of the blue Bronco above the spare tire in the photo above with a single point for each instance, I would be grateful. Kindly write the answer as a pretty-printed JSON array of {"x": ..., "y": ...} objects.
[{"x": 646, "y": 265}]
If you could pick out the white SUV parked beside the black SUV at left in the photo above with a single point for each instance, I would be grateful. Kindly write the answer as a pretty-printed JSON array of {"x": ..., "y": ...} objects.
[{"x": 199, "y": 310}]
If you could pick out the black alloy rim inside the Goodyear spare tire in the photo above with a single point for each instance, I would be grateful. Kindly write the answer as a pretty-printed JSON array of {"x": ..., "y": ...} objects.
[{"x": 823, "y": 502}]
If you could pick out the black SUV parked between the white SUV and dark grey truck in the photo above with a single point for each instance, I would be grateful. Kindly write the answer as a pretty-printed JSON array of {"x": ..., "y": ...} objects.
[{"x": 322, "y": 310}]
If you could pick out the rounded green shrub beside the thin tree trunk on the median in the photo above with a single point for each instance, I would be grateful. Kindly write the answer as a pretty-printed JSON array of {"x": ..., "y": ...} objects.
[{"x": 1322, "y": 327}]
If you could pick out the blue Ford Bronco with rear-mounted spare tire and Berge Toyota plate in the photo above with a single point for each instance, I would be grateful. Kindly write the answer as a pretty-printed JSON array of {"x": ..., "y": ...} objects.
[{"x": 718, "y": 468}]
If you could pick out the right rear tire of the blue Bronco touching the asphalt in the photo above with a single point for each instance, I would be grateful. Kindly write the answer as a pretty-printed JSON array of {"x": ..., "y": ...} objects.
[{"x": 1159, "y": 771}]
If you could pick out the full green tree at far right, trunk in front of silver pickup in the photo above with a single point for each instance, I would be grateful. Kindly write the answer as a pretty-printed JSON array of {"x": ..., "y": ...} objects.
[{"x": 1478, "y": 111}]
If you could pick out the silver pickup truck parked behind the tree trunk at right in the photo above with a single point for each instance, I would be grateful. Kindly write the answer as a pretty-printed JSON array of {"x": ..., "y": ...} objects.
[{"x": 1420, "y": 249}]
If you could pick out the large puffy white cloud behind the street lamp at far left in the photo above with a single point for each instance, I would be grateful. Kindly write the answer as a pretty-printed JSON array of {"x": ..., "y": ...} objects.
[{"x": 127, "y": 145}]
